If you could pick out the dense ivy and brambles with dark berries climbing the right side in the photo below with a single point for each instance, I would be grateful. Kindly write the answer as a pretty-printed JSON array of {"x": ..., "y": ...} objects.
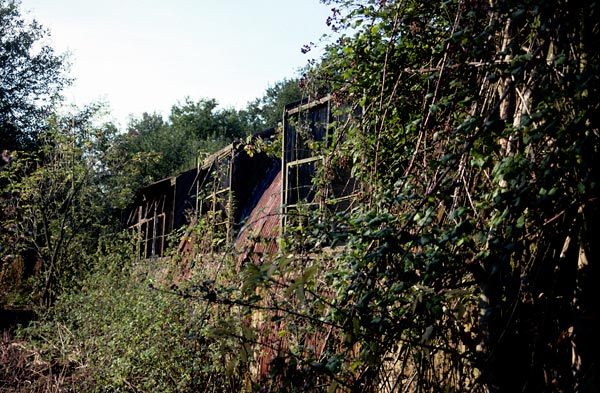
[{"x": 469, "y": 261}]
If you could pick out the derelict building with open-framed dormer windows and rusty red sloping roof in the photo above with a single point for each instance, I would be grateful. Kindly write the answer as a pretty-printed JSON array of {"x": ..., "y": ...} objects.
[{"x": 248, "y": 197}]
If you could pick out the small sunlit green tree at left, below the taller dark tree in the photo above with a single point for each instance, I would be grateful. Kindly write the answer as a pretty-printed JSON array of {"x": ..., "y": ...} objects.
[{"x": 56, "y": 205}]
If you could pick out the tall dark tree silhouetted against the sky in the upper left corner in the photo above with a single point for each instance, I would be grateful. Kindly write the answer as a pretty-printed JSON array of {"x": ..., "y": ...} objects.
[{"x": 31, "y": 78}]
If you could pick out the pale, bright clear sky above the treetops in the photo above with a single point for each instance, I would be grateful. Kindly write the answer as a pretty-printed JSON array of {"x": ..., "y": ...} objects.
[{"x": 148, "y": 55}]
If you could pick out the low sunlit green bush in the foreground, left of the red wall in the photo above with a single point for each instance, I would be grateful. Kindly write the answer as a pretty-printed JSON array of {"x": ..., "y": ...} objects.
[{"x": 121, "y": 331}]
